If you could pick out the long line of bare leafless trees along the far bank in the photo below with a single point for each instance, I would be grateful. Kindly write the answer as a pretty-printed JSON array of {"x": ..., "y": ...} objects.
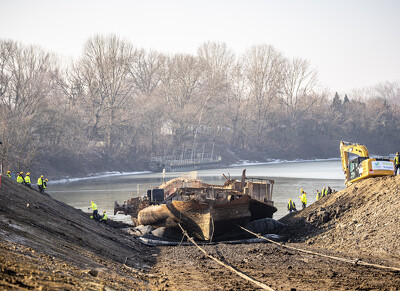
[{"x": 116, "y": 105}]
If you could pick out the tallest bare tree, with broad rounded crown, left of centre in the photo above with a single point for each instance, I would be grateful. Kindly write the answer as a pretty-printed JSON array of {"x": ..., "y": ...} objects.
[{"x": 102, "y": 73}]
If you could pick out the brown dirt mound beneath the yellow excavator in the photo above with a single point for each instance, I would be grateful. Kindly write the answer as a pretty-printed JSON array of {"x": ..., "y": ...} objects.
[{"x": 362, "y": 220}]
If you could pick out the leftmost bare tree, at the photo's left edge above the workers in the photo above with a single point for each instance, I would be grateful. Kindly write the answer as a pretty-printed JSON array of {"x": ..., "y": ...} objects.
[{"x": 28, "y": 78}]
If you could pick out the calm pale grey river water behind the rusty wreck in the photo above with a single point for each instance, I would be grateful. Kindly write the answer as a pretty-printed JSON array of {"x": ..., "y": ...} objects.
[{"x": 289, "y": 178}]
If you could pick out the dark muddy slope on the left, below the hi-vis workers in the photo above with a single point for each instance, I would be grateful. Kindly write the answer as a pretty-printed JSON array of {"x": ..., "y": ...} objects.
[{"x": 44, "y": 242}]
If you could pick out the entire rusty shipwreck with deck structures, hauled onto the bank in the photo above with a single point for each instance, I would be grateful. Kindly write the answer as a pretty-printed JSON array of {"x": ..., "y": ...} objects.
[{"x": 205, "y": 211}]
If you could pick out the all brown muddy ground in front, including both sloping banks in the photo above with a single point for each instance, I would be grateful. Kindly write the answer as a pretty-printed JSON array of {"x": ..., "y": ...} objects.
[{"x": 46, "y": 244}]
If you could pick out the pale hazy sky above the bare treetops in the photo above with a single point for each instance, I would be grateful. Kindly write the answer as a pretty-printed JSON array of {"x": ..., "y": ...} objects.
[{"x": 352, "y": 43}]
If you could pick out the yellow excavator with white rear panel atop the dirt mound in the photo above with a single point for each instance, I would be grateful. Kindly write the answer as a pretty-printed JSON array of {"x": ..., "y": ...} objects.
[{"x": 358, "y": 165}]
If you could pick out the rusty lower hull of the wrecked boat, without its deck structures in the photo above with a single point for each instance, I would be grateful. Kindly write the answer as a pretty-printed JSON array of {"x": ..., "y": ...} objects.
[{"x": 205, "y": 221}]
